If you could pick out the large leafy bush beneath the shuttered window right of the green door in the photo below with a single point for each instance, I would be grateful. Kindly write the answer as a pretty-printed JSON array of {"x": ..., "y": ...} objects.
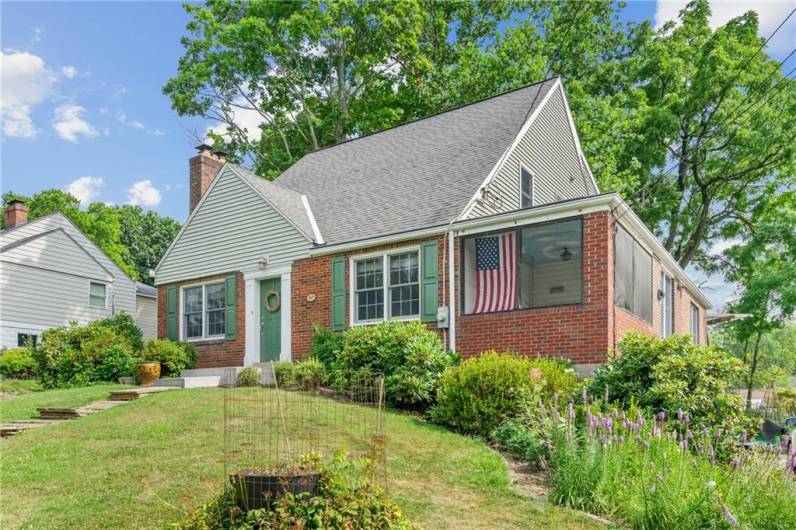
[{"x": 409, "y": 356}]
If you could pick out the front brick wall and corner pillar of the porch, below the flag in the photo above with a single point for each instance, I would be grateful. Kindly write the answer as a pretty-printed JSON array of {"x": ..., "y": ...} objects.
[{"x": 578, "y": 332}]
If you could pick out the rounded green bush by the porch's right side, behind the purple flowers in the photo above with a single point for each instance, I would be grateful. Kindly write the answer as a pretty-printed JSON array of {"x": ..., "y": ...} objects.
[{"x": 674, "y": 374}]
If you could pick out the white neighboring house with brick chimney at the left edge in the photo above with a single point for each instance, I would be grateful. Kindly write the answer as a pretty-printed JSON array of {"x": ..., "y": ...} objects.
[{"x": 51, "y": 274}]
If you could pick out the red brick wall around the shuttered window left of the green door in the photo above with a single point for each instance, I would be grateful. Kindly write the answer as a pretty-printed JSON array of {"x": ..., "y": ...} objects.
[{"x": 217, "y": 352}]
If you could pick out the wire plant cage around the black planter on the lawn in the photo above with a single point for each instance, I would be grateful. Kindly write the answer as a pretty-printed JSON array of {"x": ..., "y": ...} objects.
[{"x": 277, "y": 438}]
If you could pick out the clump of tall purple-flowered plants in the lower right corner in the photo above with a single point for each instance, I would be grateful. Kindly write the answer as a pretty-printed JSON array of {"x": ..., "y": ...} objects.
[{"x": 649, "y": 476}]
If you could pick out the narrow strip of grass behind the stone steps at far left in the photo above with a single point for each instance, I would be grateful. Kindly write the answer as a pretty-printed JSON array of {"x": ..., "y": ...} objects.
[{"x": 26, "y": 400}]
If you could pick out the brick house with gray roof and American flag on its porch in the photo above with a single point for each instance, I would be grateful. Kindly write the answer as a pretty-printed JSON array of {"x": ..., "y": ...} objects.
[{"x": 483, "y": 221}]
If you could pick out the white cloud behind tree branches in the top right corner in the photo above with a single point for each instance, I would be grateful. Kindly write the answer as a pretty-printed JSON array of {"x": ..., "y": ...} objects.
[{"x": 770, "y": 14}]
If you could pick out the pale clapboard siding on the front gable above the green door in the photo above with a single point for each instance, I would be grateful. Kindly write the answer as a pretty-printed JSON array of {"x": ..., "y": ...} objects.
[{"x": 233, "y": 227}]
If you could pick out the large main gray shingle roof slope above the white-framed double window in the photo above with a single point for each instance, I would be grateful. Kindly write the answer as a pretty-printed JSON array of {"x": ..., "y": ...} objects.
[{"x": 416, "y": 175}]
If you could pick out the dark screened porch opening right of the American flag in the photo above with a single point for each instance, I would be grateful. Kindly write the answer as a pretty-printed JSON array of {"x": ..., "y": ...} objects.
[{"x": 551, "y": 264}]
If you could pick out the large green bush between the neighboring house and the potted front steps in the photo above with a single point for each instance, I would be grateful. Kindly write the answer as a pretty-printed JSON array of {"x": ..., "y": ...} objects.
[{"x": 103, "y": 350}]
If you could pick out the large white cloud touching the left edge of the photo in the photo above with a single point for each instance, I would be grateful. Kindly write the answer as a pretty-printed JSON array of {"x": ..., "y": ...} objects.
[{"x": 25, "y": 83}]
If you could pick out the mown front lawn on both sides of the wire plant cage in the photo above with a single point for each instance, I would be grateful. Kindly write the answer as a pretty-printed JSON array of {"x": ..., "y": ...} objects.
[{"x": 149, "y": 462}]
